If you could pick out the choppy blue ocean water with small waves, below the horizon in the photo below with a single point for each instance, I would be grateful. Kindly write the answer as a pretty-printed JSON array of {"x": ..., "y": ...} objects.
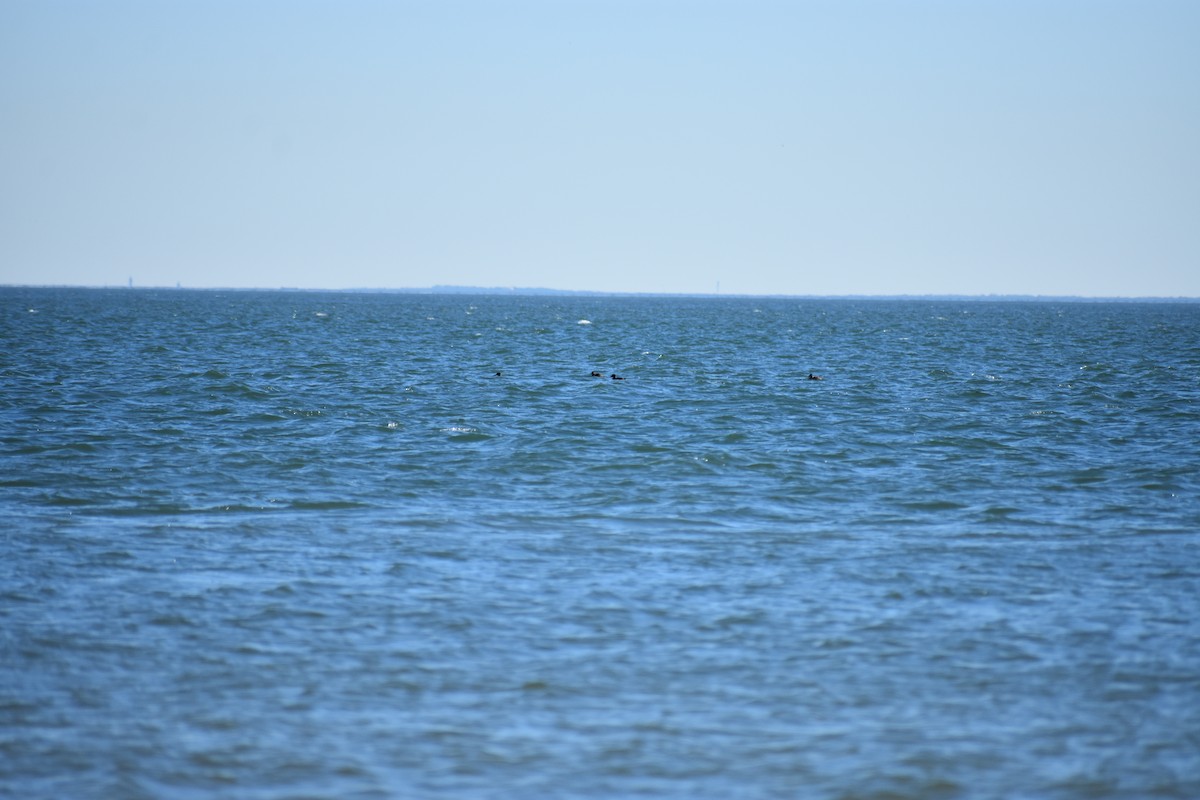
[{"x": 299, "y": 545}]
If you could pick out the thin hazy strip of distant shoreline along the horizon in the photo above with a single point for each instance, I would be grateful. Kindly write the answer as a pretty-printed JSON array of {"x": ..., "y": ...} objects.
[{"x": 536, "y": 292}]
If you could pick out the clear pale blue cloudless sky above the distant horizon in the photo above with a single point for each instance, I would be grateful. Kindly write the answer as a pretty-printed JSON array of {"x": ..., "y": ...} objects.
[{"x": 743, "y": 147}]
